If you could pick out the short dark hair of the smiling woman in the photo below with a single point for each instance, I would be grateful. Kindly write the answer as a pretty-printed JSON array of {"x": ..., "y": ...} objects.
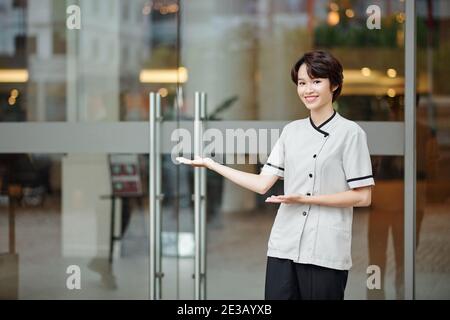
[{"x": 321, "y": 64}]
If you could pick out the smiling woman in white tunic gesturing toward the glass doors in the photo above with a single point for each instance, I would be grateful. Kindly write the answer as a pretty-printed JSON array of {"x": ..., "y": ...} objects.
[{"x": 325, "y": 163}]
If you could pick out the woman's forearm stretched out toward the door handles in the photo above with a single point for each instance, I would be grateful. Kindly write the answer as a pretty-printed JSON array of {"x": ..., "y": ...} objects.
[{"x": 251, "y": 181}]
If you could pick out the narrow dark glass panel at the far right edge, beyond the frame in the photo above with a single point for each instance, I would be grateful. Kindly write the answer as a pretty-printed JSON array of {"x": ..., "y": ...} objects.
[{"x": 433, "y": 147}]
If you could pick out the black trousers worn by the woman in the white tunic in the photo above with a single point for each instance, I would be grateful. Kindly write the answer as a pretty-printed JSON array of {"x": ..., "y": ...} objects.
[{"x": 287, "y": 280}]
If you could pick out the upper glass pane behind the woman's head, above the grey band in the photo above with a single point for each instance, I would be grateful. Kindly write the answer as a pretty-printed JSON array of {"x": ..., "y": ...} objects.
[{"x": 242, "y": 51}]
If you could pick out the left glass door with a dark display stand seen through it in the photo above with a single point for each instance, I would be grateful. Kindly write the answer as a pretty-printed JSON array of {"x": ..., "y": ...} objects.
[{"x": 75, "y": 78}]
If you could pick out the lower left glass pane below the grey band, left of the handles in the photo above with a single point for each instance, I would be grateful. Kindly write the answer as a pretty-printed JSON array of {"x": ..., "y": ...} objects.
[{"x": 58, "y": 215}]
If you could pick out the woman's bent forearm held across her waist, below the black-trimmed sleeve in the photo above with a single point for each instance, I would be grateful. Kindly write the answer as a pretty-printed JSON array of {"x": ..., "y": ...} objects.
[{"x": 350, "y": 198}]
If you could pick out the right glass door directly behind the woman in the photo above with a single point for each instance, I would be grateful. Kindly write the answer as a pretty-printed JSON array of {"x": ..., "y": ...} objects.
[{"x": 240, "y": 53}]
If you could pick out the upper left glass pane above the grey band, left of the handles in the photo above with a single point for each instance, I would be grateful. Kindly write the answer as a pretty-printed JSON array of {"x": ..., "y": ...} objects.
[{"x": 85, "y": 61}]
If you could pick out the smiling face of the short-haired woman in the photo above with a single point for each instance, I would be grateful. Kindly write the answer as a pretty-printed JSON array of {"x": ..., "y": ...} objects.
[{"x": 315, "y": 93}]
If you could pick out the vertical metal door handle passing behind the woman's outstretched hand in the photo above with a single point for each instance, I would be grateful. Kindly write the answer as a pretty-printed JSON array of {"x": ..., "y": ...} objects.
[{"x": 199, "y": 200}]
